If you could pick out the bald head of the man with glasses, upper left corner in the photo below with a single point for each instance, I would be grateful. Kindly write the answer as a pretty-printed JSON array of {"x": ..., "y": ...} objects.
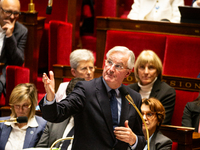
[{"x": 9, "y": 10}]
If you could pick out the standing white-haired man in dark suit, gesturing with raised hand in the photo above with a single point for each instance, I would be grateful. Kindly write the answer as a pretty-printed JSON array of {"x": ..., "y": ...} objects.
[{"x": 89, "y": 103}]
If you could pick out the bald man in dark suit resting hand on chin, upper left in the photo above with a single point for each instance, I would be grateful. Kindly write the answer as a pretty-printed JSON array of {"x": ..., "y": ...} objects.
[{"x": 13, "y": 37}]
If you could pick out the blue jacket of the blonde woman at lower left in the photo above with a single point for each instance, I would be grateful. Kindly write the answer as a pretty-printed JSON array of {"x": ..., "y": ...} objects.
[{"x": 32, "y": 134}]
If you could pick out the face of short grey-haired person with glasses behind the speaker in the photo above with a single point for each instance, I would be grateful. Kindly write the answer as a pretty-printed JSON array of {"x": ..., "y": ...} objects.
[{"x": 84, "y": 70}]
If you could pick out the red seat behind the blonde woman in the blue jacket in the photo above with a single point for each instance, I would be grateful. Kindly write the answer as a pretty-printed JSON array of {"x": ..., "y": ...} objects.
[{"x": 14, "y": 76}]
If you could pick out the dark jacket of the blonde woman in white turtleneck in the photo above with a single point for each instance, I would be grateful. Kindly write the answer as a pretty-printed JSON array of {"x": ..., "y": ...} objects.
[{"x": 163, "y": 92}]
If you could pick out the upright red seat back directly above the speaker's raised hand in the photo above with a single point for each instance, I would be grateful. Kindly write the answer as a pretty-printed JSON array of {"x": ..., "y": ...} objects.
[{"x": 60, "y": 43}]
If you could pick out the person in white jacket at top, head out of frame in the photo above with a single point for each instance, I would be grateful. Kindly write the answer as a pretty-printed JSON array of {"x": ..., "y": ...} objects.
[{"x": 156, "y": 10}]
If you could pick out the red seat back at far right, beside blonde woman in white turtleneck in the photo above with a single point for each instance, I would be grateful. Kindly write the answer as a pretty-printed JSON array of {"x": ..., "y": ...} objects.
[{"x": 182, "y": 56}]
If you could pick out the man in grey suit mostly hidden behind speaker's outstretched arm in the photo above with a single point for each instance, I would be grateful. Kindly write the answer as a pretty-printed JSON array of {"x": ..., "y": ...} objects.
[{"x": 54, "y": 131}]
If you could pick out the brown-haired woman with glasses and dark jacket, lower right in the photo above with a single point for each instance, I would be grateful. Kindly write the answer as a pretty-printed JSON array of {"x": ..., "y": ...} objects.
[{"x": 153, "y": 113}]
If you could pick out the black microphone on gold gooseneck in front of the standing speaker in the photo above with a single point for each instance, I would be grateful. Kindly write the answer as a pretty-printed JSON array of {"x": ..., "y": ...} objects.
[{"x": 123, "y": 91}]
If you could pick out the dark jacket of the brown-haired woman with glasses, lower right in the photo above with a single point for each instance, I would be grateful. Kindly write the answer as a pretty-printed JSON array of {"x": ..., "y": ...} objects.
[{"x": 160, "y": 142}]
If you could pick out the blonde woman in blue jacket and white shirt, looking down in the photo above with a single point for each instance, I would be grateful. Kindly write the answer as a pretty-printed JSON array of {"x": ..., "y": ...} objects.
[{"x": 17, "y": 136}]
